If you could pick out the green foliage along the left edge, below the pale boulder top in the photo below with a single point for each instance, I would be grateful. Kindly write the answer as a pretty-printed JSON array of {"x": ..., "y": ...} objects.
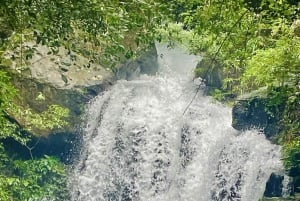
[{"x": 33, "y": 179}]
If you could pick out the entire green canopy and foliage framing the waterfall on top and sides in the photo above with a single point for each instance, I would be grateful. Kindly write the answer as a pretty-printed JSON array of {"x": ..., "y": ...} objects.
[{"x": 253, "y": 44}]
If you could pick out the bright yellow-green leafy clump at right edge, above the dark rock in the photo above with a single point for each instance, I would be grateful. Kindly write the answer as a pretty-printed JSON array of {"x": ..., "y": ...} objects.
[{"x": 273, "y": 66}]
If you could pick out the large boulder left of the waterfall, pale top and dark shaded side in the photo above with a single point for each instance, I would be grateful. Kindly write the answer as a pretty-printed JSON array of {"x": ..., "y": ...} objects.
[{"x": 70, "y": 83}]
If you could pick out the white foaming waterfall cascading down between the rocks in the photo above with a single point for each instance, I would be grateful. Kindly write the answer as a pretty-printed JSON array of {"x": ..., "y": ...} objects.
[{"x": 138, "y": 145}]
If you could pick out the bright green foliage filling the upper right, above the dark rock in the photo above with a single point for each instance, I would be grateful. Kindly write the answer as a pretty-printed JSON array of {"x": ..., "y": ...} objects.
[{"x": 243, "y": 37}]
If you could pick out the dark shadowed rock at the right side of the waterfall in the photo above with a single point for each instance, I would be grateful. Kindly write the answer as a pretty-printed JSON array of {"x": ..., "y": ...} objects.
[{"x": 252, "y": 111}]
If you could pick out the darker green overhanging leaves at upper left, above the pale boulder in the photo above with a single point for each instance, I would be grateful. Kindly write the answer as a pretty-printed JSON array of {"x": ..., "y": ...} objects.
[{"x": 107, "y": 30}]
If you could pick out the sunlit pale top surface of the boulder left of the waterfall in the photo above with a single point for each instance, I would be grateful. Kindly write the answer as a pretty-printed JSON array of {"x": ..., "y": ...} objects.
[{"x": 64, "y": 70}]
